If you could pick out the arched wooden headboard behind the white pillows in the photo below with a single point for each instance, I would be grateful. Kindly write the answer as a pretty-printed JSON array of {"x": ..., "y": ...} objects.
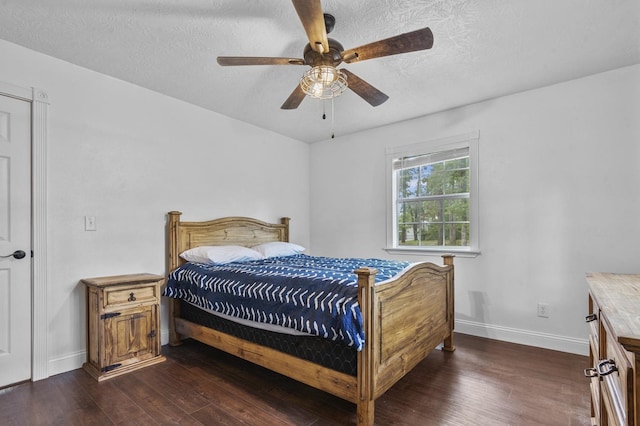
[{"x": 240, "y": 231}]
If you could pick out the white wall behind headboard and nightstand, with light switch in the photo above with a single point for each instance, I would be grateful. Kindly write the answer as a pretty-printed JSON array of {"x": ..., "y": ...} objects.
[{"x": 128, "y": 156}]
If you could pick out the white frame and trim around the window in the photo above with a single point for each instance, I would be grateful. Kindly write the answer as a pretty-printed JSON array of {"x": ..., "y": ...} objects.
[{"x": 467, "y": 140}]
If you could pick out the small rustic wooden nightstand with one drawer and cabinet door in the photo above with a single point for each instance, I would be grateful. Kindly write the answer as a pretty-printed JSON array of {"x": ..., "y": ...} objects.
[{"x": 123, "y": 324}]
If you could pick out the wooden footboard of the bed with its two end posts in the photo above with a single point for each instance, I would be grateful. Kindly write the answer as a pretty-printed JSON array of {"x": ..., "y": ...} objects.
[{"x": 405, "y": 319}]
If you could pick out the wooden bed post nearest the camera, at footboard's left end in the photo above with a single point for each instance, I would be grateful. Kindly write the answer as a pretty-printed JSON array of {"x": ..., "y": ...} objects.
[{"x": 367, "y": 356}]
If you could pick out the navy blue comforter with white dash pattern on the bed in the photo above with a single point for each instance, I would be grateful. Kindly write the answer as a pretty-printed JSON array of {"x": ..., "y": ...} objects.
[{"x": 310, "y": 294}]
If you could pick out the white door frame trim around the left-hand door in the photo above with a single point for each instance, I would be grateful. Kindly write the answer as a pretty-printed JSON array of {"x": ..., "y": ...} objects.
[{"x": 39, "y": 100}]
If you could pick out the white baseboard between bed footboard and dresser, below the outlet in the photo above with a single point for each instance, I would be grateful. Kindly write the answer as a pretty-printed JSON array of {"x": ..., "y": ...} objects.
[{"x": 524, "y": 337}]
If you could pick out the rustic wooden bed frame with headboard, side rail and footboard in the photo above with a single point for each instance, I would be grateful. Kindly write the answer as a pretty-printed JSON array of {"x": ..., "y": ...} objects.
[{"x": 404, "y": 319}]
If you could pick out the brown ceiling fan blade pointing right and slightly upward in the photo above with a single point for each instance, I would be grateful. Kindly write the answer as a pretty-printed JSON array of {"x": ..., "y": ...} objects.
[{"x": 403, "y": 43}]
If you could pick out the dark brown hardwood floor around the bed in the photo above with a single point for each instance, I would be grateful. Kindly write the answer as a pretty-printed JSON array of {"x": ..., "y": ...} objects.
[{"x": 484, "y": 382}]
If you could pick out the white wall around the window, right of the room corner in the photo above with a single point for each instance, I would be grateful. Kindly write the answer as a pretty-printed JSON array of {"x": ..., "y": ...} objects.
[{"x": 559, "y": 196}]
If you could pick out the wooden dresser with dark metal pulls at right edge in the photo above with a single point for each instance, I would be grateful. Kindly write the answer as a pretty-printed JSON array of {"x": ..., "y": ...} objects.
[{"x": 614, "y": 340}]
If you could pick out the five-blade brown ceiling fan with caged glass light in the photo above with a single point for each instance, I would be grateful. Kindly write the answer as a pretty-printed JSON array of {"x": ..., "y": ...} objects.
[{"x": 323, "y": 55}]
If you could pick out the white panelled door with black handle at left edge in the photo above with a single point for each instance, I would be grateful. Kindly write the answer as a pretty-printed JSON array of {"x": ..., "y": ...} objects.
[{"x": 15, "y": 236}]
